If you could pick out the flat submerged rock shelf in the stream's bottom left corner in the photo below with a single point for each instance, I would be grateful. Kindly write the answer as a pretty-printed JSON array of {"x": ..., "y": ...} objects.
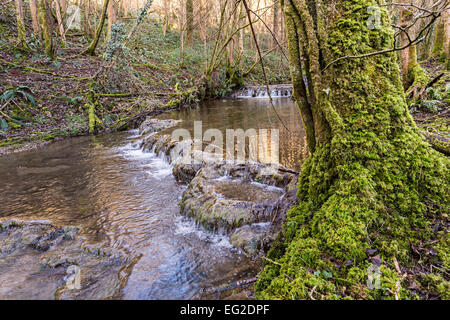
[{"x": 37, "y": 260}]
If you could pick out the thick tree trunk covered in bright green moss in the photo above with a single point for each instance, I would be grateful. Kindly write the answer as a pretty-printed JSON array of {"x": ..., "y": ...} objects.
[{"x": 372, "y": 183}]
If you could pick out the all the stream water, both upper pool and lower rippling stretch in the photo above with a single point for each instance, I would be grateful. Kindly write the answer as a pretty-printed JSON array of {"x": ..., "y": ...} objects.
[{"x": 128, "y": 198}]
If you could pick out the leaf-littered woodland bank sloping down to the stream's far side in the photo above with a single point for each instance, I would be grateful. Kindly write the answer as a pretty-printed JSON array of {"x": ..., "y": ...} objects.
[{"x": 43, "y": 100}]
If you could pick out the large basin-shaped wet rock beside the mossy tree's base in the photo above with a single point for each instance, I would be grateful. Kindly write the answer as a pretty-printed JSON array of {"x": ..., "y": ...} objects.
[{"x": 231, "y": 198}]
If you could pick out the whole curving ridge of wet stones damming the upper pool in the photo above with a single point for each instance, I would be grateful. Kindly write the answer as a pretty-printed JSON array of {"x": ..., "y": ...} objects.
[{"x": 248, "y": 201}]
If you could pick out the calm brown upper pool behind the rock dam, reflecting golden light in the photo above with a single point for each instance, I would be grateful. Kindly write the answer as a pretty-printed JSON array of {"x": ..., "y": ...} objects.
[{"x": 251, "y": 114}]
